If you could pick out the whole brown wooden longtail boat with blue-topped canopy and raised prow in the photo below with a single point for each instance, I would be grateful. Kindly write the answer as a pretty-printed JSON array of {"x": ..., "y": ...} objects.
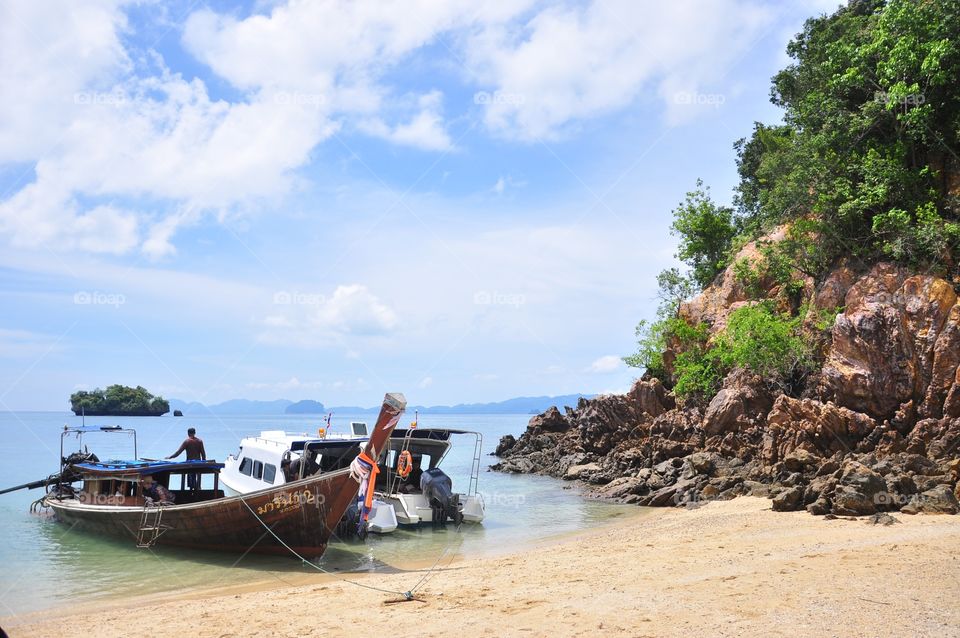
[{"x": 303, "y": 514}]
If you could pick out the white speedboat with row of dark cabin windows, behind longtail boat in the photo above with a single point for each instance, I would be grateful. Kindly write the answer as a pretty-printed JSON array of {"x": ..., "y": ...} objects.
[{"x": 277, "y": 457}]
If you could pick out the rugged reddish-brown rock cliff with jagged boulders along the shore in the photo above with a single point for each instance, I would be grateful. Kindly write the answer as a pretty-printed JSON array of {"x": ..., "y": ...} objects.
[{"x": 876, "y": 429}]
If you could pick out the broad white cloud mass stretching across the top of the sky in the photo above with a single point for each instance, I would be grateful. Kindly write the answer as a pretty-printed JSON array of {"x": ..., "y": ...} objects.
[{"x": 125, "y": 151}]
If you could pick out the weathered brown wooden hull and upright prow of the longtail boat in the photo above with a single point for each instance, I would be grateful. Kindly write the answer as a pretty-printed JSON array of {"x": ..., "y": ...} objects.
[{"x": 303, "y": 514}]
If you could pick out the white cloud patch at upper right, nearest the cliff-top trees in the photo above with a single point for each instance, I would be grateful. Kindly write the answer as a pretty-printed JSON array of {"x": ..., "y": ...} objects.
[{"x": 570, "y": 63}]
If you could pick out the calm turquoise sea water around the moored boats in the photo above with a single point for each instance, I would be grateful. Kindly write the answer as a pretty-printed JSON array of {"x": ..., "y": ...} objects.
[{"x": 44, "y": 564}]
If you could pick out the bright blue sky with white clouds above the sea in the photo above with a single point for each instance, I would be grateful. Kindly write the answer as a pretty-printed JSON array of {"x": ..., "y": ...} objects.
[{"x": 464, "y": 201}]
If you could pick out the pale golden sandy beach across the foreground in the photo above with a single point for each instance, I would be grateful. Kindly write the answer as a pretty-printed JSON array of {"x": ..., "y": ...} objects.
[{"x": 726, "y": 569}]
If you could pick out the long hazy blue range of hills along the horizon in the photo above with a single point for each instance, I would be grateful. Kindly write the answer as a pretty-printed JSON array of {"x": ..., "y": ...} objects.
[{"x": 518, "y": 405}]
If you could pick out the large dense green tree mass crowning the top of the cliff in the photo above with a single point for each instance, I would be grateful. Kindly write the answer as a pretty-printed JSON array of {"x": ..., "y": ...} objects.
[{"x": 869, "y": 144}]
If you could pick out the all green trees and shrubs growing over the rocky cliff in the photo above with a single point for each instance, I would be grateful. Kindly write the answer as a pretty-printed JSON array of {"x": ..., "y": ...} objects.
[{"x": 865, "y": 165}]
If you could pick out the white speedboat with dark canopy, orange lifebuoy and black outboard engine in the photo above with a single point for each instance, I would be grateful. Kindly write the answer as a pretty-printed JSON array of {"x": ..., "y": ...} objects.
[{"x": 425, "y": 494}]
